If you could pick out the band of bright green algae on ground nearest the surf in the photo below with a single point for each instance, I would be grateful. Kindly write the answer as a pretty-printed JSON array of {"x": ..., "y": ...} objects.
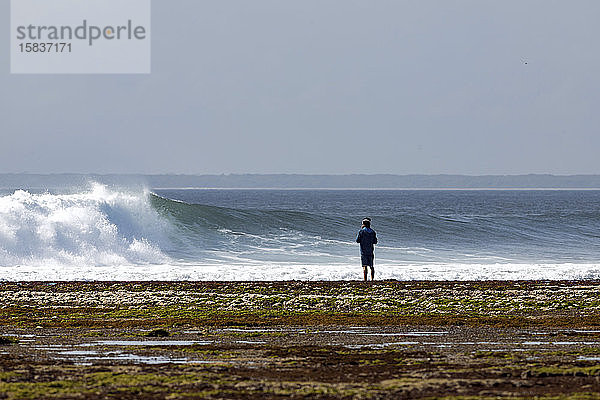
[{"x": 162, "y": 304}]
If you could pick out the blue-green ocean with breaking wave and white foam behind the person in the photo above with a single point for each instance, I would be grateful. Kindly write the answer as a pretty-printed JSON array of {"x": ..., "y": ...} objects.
[{"x": 108, "y": 233}]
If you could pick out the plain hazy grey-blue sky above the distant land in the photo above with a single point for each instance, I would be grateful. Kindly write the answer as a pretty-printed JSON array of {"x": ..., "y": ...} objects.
[{"x": 325, "y": 87}]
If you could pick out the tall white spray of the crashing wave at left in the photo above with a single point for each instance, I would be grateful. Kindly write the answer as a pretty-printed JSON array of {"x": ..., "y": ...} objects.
[{"x": 99, "y": 227}]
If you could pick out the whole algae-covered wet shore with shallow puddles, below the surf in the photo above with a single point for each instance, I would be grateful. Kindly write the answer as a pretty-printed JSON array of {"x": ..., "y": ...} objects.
[{"x": 183, "y": 340}]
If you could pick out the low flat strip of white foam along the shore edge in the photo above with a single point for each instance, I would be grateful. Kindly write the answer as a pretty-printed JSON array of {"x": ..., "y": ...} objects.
[{"x": 236, "y": 271}]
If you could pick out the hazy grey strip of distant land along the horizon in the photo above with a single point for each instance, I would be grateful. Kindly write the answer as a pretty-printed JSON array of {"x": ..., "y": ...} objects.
[{"x": 306, "y": 181}]
